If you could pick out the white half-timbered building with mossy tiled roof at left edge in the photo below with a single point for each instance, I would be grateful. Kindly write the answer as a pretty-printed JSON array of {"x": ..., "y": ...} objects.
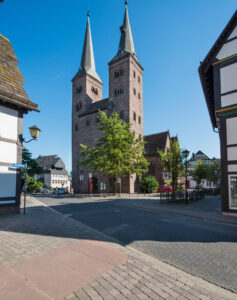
[{"x": 14, "y": 103}]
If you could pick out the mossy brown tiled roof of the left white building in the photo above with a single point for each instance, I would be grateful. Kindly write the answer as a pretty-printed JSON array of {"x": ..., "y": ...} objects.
[{"x": 11, "y": 80}]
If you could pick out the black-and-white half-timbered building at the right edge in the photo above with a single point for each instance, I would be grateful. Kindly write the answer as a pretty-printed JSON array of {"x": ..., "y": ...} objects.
[{"x": 218, "y": 74}]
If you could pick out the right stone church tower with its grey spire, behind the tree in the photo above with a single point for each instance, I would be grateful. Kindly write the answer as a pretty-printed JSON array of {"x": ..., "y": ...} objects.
[{"x": 126, "y": 85}]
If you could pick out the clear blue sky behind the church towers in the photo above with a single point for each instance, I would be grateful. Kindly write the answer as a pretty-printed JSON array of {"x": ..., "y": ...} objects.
[{"x": 171, "y": 38}]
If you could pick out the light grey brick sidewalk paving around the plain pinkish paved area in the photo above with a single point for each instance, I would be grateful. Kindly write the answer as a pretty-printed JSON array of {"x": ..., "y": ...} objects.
[{"x": 140, "y": 277}]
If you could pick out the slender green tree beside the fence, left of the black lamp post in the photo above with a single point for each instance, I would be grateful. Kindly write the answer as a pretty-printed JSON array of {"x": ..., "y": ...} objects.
[{"x": 171, "y": 161}]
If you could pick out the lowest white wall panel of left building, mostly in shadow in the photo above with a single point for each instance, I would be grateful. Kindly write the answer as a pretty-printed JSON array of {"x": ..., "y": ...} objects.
[{"x": 7, "y": 182}]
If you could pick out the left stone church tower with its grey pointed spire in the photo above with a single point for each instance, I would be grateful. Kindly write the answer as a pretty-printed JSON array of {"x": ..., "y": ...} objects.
[{"x": 86, "y": 89}]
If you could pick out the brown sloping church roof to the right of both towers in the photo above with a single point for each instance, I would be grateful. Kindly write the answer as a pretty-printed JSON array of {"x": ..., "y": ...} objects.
[{"x": 155, "y": 141}]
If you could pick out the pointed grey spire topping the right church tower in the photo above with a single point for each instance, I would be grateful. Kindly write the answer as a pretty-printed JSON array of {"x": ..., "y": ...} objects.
[{"x": 126, "y": 44}]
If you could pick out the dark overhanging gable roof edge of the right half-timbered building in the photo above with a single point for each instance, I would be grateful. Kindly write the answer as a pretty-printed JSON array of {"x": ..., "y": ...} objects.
[{"x": 206, "y": 70}]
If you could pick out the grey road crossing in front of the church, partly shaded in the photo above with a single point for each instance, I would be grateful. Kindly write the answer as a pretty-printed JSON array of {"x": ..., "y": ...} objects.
[{"x": 202, "y": 248}]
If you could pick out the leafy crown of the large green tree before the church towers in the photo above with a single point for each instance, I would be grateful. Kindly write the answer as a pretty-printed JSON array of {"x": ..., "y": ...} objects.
[{"x": 117, "y": 153}]
